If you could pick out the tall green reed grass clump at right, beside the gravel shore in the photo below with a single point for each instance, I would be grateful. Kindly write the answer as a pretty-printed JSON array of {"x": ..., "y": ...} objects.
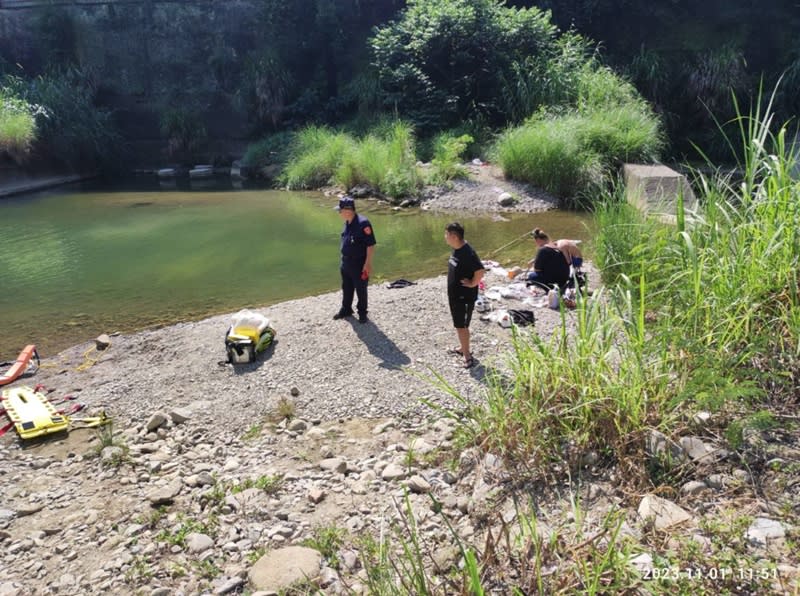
[{"x": 702, "y": 314}]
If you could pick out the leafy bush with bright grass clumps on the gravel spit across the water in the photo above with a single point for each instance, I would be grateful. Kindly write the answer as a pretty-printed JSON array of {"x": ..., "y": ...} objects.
[{"x": 580, "y": 120}]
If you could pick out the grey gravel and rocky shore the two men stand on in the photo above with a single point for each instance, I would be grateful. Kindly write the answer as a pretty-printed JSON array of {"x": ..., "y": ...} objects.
[{"x": 280, "y": 476}]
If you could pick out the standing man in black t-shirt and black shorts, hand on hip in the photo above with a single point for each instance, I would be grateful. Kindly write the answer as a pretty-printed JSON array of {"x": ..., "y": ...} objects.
[{"x": 464, "y": 275}]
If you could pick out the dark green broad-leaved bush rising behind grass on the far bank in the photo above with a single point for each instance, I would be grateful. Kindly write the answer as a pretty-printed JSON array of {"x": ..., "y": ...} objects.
[{"x": 449, "y": 61}]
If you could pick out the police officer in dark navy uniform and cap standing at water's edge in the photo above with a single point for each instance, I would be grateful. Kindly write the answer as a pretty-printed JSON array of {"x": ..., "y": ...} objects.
[{"x": 358, "y": 246}]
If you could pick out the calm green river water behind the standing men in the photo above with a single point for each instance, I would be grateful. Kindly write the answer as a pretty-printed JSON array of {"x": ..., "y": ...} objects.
[{"x": 78, "y": 262}]
